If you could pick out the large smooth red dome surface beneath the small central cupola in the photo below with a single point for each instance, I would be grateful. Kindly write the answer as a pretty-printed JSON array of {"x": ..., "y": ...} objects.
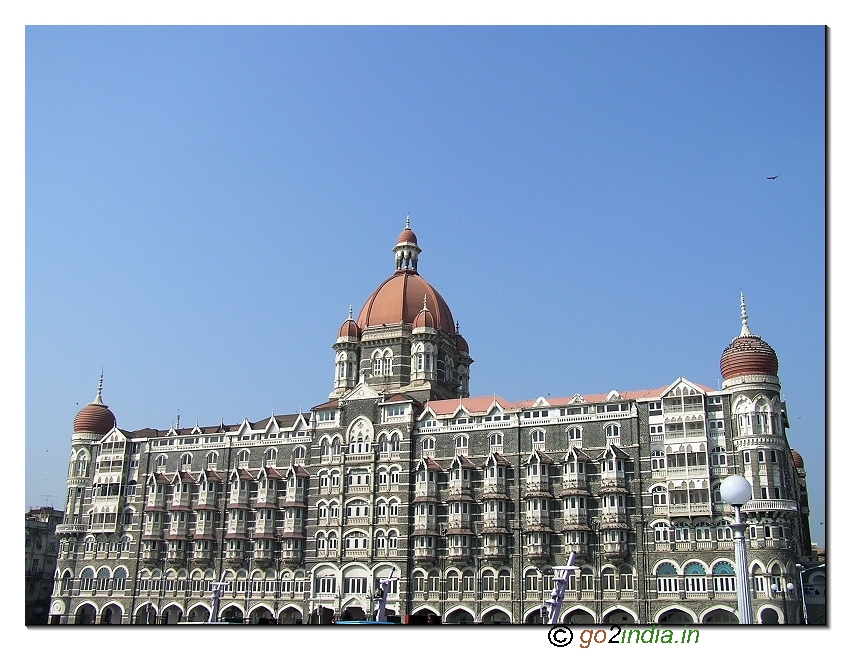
[{"x": 400, "y": 299}]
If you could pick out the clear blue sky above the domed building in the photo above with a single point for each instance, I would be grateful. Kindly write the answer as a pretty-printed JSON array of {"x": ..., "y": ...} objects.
[{"x": 204, "y": 204}]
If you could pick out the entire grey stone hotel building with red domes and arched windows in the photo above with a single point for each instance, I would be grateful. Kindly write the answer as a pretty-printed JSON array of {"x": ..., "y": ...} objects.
[{"x": 469, "y": 500}]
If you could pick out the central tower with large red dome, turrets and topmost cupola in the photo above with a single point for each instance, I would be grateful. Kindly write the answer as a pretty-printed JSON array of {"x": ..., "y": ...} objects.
[{"x": 405, "y": 338}]
